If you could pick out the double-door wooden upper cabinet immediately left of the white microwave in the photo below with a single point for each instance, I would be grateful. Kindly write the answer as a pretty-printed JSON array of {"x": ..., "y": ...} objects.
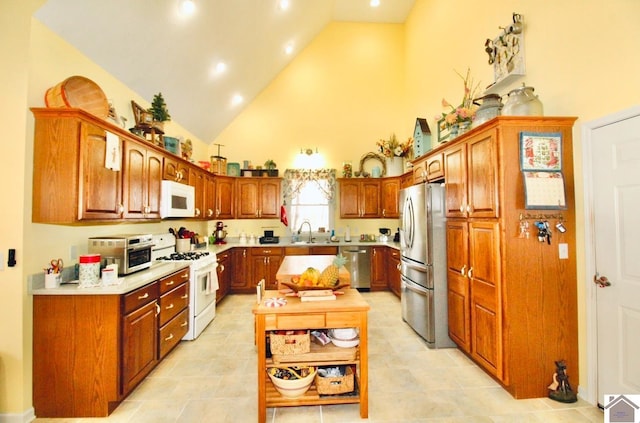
[{"x": 142, "y": 176}]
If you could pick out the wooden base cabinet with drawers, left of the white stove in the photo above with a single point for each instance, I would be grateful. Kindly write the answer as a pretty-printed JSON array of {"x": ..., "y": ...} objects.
[{"x": 91, "y": 351}]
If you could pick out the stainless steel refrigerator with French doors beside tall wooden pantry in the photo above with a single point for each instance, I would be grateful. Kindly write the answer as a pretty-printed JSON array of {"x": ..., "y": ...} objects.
[{"x": 423, "y": 260}]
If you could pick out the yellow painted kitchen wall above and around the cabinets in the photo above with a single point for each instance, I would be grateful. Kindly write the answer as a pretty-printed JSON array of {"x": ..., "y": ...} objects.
[{"x": 354, "y": 84}]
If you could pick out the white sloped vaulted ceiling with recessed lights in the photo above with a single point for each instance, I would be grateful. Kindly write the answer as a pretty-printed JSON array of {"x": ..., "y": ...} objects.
[{"x": 152, "y": 47}]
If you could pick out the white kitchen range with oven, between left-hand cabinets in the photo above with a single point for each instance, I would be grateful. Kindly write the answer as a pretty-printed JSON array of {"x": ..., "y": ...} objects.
[{"x": 203, "y": 283}]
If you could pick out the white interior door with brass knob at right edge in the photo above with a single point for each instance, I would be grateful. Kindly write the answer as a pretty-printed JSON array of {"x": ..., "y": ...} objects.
[{"x": 615, "y": 170}]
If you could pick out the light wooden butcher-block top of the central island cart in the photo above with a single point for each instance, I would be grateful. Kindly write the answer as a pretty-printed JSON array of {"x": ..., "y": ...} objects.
[{"x": 350, "y": 300}]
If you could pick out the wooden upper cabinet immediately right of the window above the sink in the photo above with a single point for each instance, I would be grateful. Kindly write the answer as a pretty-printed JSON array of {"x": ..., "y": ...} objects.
[{"x": 359, "y": 198}]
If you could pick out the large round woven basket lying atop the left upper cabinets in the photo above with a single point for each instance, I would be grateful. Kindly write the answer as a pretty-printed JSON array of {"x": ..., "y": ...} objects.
[{"x": 80, "y": 92}]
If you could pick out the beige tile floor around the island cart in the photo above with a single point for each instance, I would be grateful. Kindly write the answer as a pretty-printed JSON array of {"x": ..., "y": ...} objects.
[{"x": 213, "y": 379}]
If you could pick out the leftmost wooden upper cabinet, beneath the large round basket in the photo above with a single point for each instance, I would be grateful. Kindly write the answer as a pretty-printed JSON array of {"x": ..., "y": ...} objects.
[{"x": 70, "y": 181}]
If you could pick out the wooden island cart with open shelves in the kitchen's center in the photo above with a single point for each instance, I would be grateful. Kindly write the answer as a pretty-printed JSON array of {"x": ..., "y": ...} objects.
[{"x": 346, "y": 311}]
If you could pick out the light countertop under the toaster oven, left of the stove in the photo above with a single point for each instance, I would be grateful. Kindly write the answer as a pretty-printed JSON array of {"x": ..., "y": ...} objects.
[{"x": 125, "y": 283}]
